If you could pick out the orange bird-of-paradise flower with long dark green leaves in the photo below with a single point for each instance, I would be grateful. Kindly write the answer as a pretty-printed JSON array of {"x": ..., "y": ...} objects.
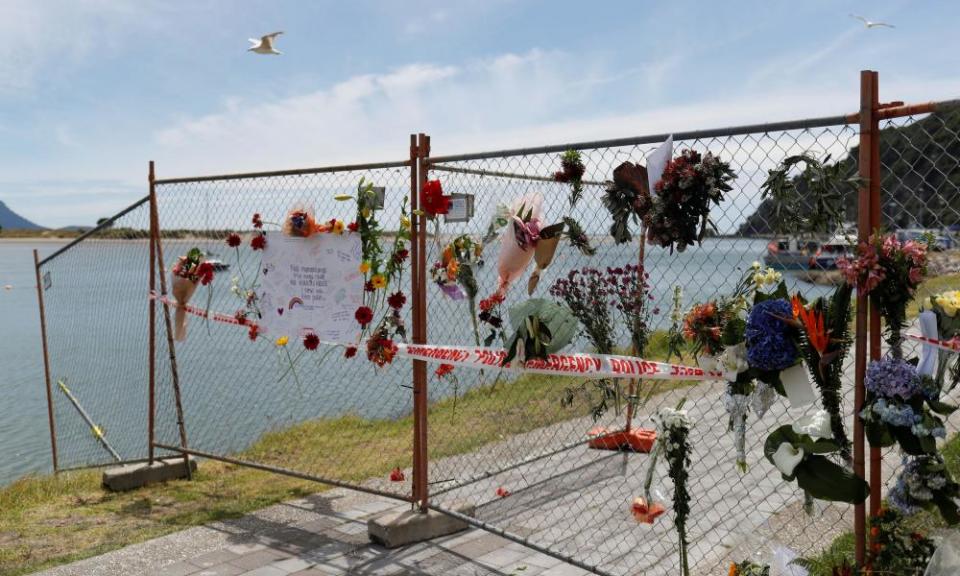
[{"x": 825, "y": 339}]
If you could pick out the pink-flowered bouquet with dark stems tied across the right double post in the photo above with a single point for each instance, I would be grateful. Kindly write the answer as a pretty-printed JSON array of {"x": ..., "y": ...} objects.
[{"x": 890, "y": 272}]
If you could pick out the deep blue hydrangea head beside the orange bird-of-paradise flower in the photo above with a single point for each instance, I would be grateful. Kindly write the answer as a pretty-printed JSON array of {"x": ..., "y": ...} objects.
[{"x": 769, "y": 345}]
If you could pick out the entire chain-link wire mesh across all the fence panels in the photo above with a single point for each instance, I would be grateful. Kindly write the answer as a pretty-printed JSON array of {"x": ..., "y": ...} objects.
[{"x": 513, "y": 447}]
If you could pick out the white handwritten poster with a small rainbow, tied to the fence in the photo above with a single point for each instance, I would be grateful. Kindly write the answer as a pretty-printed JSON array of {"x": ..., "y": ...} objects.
[{"x": 311, "y": 285}]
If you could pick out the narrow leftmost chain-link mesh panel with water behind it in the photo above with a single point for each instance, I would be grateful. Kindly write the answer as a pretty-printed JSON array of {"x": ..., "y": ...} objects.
[{"x": 97, "y": 341}]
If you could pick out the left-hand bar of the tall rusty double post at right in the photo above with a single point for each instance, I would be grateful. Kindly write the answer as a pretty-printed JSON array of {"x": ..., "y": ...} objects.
[{"x": 867, "y": 135}]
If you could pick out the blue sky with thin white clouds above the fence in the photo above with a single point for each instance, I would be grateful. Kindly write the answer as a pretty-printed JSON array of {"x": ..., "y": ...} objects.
[{"x": 90, "y": 90}]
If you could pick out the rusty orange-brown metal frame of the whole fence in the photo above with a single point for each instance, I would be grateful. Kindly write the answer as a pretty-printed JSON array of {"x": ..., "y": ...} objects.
[{"x": 420, "y": 162}]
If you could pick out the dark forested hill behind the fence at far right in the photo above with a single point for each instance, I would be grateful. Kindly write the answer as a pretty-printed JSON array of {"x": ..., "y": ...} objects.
[{"x": 920, "y": 178}]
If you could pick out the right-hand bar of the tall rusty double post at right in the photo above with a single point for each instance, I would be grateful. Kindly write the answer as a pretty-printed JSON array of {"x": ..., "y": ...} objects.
[{"x": 873, "y": 183}]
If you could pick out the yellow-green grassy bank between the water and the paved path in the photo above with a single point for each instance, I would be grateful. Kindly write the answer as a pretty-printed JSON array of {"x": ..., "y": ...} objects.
[{"x": 50, "y": 520}]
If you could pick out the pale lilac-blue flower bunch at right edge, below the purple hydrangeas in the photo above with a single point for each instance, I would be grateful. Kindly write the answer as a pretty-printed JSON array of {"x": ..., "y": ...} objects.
[{"x": 925, "y": 483}]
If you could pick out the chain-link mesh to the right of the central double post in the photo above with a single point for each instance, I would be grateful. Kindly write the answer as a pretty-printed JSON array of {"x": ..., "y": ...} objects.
[{"x": 576, "y": 501}]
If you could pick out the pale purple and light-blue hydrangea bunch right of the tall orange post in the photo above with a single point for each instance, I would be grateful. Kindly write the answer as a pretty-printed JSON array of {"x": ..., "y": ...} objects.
[{"x": 902, "y": 406}]
